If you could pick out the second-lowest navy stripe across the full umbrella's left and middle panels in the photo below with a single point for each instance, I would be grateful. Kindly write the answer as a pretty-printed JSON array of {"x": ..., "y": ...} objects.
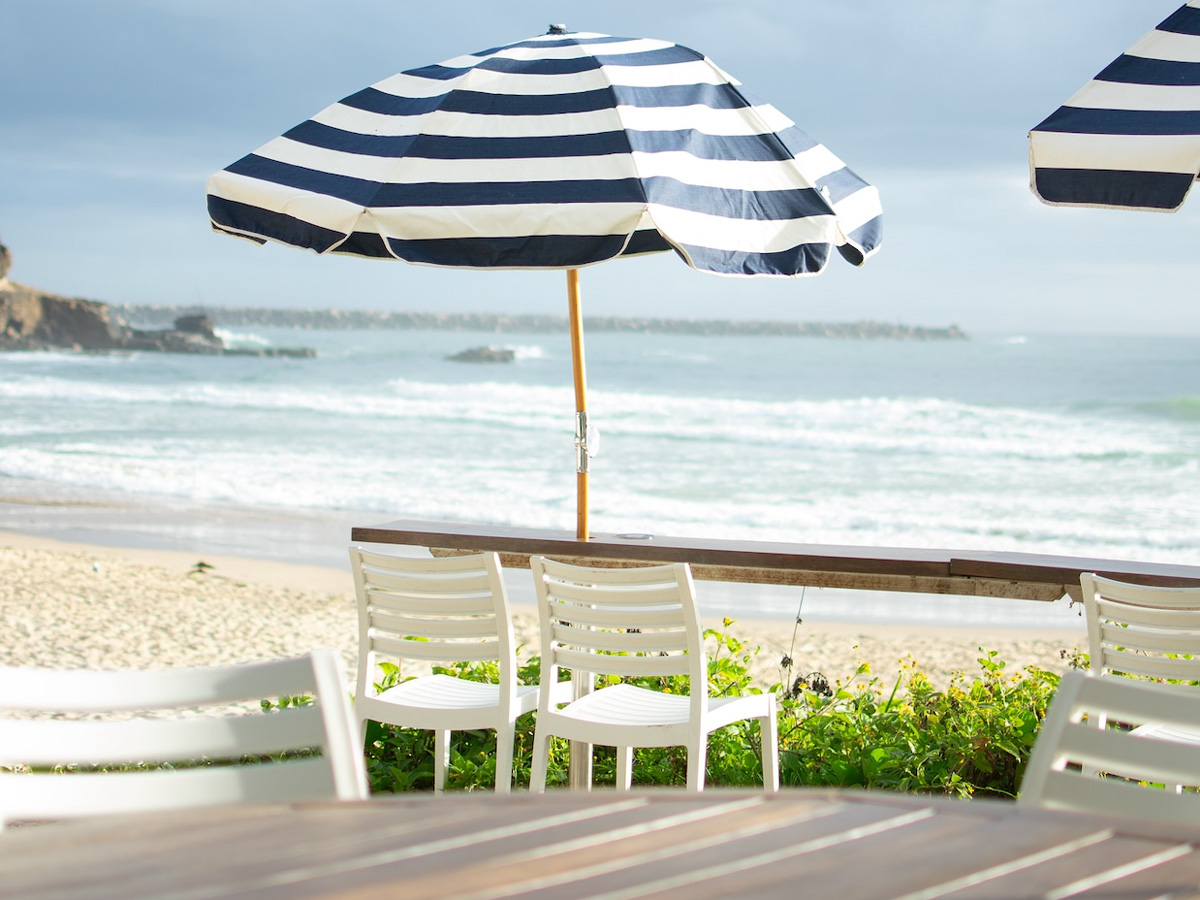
[{"x": 485, "y": 194}]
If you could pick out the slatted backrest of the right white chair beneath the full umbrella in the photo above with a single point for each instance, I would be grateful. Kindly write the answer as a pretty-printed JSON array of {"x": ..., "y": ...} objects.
[{"x": 625, "y": 622}]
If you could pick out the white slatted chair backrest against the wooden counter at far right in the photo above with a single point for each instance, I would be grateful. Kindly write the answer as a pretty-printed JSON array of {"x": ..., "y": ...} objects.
[{"x": 1142, "y": 631}]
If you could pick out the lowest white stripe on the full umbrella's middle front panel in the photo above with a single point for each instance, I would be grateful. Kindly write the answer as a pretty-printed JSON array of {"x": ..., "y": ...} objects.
[{"x": 441, "y": 223}]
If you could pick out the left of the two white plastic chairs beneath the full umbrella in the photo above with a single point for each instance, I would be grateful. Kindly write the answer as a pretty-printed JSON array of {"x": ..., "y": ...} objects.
[{"x": 448, "y": 610}]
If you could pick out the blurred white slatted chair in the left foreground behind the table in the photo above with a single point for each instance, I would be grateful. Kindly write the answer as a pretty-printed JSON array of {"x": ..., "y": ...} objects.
[{"x": 178, "y": 733}]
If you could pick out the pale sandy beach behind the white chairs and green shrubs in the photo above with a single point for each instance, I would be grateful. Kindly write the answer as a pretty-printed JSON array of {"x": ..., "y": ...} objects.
[{"x": 74, "y": 605}]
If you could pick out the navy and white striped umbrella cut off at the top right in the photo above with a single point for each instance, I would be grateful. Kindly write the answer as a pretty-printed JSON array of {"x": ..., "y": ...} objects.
[{"x": 1131, "y": 137}]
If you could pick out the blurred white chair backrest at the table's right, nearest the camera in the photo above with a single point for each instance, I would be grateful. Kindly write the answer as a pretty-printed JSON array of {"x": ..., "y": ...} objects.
[{"x": 1069, "y": 751}]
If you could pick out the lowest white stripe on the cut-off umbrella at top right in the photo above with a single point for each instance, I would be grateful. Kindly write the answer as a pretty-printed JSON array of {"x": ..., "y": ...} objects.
[{"x": 1130, "y": 153}]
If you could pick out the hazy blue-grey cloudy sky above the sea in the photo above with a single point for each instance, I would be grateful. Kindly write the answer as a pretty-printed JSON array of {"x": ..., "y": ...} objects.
[{"x": 115, "y": 115}]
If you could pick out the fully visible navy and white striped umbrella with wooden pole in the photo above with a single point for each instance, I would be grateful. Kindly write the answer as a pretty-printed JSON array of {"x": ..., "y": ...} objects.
[{"x": 559, "y": 152}]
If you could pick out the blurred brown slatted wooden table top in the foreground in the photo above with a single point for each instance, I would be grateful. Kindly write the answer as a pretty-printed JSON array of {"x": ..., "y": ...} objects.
[{"x": 837, "y": 845}]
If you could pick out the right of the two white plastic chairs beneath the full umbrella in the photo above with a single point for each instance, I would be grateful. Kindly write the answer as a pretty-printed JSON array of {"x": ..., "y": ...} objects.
[{"x": 590, "y": 617}]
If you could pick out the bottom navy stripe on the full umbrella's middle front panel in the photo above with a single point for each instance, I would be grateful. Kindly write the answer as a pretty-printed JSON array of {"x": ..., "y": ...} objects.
[{"x": 529, "y": 253}]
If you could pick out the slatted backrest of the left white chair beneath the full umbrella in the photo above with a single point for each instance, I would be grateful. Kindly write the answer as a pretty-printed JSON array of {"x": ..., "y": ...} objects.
[{"x": 445, "y": 610}]
